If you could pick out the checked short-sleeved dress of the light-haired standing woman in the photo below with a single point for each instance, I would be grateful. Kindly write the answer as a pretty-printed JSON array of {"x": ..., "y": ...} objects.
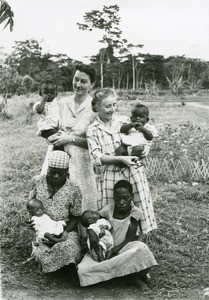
[{"x": 104, "y": 140}]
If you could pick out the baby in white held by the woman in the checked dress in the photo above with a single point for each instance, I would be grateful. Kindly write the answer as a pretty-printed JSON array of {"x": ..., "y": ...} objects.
[{"x": 138, "y": 134}]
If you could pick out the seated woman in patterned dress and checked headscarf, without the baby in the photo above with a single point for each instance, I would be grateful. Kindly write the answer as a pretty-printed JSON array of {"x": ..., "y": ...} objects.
[{"x": 62, "y": 201}]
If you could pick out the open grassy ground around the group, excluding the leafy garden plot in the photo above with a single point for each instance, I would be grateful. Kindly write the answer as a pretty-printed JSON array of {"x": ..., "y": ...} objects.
[{"x": 180, "y": 244}]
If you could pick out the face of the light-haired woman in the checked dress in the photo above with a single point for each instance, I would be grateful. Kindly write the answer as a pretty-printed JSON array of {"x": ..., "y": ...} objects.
[{"x": 106, "y": 108}]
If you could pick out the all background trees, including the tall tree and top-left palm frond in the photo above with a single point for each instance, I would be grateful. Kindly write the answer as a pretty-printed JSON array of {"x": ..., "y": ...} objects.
[{"x": 119, "y": 64}]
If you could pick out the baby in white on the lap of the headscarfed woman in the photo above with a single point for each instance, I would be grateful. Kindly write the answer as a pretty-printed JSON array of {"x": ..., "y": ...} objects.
[{"x": 45, "y": 227}]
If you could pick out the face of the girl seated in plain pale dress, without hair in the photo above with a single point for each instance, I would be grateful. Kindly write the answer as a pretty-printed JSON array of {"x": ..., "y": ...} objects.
[{"x": 122, "y": 199}]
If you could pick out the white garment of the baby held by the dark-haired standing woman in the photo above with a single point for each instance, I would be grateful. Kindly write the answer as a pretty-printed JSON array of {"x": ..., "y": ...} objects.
[{"x": 49, "y": 118}]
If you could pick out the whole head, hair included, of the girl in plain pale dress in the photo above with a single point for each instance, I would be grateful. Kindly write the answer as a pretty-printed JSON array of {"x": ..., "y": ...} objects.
[{"x": 123, "y": 196}]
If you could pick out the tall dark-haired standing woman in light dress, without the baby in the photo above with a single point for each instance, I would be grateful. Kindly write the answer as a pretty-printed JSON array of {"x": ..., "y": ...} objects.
[{"x": 75, "y": 116}]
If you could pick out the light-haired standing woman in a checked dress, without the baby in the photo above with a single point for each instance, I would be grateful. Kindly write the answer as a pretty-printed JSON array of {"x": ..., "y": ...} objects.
[{"x": 103, "y": 139}]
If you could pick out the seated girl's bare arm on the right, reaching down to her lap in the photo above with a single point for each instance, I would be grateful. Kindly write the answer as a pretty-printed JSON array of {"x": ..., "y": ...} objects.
[{"x": 130, "y": 236}]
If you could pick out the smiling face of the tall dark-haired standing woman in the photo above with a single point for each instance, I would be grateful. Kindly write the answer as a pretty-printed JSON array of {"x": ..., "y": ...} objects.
[{"x": 81, "y": 83}]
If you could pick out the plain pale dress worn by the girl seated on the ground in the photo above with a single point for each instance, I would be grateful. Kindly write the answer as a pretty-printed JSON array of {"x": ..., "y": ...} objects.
[{"x": 132, "y": 258}]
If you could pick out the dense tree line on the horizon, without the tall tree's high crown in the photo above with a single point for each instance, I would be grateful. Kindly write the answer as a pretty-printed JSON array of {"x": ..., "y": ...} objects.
[{"x": 26, "y": 67}]
